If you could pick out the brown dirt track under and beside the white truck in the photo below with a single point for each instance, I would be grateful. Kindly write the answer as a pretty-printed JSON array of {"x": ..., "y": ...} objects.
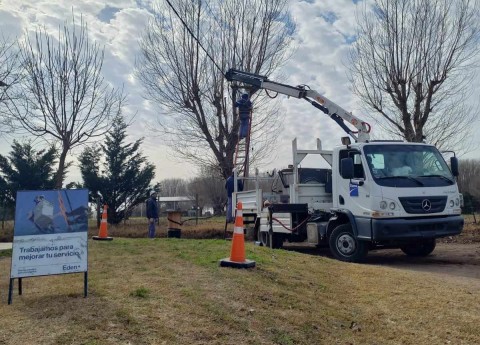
[{"x": 458, "y": 262}]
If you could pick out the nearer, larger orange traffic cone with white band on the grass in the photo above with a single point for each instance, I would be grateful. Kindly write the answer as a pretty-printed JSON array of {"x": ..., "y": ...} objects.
[{"x": 237, "y": 254}]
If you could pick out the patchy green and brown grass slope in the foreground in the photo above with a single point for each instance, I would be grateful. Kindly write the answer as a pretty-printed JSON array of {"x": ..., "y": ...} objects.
[{"x": 172, "y": 291}]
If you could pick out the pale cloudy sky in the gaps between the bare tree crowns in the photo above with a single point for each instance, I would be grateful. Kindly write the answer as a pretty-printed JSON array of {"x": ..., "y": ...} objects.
[{"x": 325, "y": 29}]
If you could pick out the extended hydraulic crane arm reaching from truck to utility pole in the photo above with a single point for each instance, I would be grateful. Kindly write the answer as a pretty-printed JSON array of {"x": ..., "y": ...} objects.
[{"x": 336, "y": 113}]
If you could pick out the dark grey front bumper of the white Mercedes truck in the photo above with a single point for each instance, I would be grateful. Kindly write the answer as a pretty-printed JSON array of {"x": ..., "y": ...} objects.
[{"x": 407, "y": 229}]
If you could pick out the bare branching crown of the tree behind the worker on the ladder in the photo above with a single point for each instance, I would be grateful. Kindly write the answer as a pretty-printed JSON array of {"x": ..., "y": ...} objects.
[{"x": 188, "y": 83}]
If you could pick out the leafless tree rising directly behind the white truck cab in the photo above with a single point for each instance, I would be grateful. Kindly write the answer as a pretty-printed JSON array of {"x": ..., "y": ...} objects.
[{"x": 412, "y": 63}]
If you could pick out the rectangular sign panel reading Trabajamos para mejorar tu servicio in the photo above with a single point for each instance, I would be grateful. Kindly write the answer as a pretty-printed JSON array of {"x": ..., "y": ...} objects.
[{"x": 50, "y": 233}]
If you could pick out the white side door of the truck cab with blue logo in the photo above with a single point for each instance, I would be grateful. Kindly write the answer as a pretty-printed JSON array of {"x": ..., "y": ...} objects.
[{"x": 353, "y": 196}]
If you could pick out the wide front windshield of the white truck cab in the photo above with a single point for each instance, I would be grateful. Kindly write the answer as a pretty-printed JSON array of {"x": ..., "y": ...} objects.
[{"x": 407, "y": 166}]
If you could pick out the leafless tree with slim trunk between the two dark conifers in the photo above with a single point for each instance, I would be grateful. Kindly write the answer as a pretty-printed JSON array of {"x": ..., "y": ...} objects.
[{"x": 65, "y": 95}]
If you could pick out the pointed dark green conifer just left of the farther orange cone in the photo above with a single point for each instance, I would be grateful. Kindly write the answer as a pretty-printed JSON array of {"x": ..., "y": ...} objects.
[{"x": 118, "y": 172}]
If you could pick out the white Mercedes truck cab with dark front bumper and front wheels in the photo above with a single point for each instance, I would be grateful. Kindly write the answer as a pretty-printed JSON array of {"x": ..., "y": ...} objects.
[{"x": 392, "y": 194}]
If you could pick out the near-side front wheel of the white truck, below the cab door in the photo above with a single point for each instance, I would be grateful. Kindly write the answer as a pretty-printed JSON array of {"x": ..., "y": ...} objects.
[{"x": 345, "y": 247}]
